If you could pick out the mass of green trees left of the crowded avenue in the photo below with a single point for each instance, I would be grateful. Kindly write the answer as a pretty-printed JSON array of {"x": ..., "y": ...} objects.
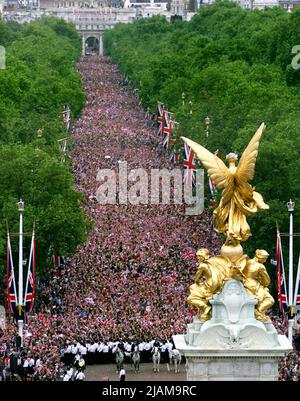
[{"x": 39, "y": 79}]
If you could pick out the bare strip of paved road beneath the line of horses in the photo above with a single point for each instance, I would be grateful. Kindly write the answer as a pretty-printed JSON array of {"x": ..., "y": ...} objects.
[{"x": 108, "y": 372}]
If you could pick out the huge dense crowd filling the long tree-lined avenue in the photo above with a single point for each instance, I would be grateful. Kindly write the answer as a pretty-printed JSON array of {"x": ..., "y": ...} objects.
[{"x": 128, "y": 283}]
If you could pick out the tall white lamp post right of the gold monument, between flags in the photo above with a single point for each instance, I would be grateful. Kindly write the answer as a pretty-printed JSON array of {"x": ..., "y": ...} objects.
[{"x": 290, "y": 206}]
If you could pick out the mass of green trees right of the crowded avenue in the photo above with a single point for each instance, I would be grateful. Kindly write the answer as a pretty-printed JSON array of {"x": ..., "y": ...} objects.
[{"x": 235, "y": 66}]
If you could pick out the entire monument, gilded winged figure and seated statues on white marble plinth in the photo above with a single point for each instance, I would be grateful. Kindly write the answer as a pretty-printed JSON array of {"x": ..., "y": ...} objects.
[{"x": 232, "y": 338}]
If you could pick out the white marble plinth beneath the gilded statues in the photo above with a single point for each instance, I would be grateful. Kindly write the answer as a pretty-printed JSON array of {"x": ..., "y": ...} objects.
[{"x": 233, "y": 344}]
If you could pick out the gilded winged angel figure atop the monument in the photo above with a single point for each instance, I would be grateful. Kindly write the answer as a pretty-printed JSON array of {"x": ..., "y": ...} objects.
[{"x": 239, "y": 199}]
